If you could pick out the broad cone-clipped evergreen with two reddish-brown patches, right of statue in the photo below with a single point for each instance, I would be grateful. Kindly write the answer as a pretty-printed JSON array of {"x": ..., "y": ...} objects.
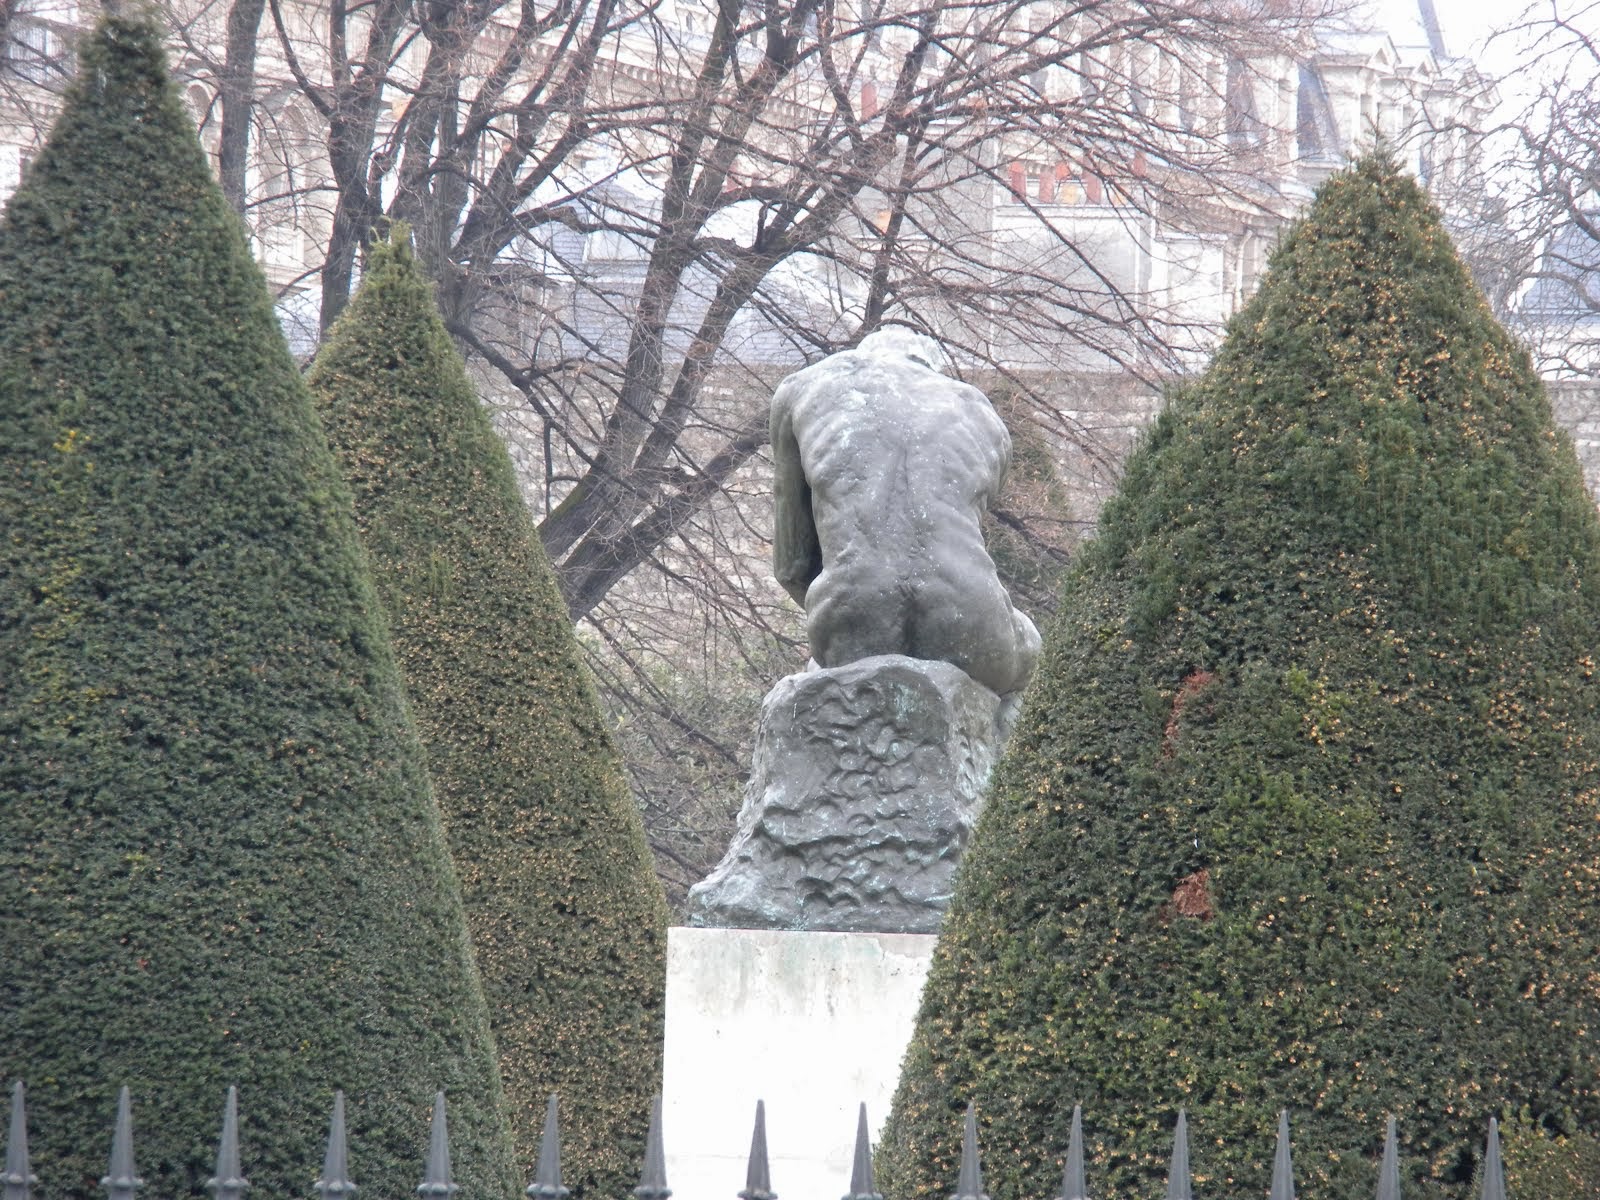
[{"x": 1303, "y": 806}]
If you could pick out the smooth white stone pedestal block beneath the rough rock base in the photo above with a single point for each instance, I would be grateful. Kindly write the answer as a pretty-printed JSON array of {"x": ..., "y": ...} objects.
[{"x": 812, "y": 1023}]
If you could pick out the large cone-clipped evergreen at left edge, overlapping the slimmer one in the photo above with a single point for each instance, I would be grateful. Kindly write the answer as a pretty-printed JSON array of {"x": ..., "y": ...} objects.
[{"x": 220, "y": 860}]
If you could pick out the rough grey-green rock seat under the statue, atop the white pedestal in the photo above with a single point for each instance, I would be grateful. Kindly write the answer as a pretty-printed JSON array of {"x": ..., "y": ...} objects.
[{"x": 866, "y": 785}]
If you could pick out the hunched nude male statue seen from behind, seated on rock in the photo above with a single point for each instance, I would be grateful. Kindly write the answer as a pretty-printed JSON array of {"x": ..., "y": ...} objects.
[{"x": 884, "y": 470}]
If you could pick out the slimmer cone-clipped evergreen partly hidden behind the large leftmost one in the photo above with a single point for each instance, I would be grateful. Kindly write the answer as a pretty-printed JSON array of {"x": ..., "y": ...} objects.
[{"x": 562, "y": 900}]
